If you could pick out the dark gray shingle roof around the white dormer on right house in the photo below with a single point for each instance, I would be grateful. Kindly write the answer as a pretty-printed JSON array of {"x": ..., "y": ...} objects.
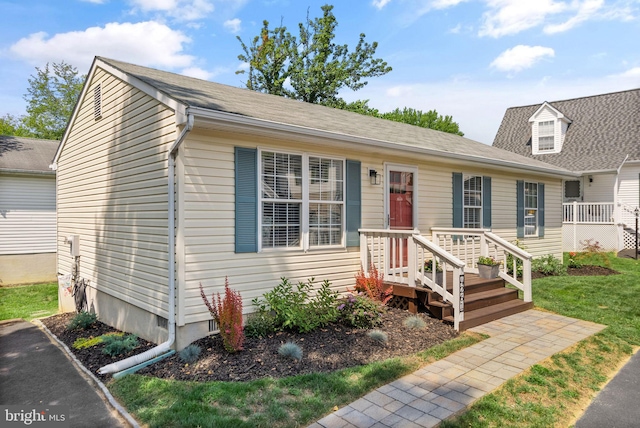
[{"x": 604, "y": 130}]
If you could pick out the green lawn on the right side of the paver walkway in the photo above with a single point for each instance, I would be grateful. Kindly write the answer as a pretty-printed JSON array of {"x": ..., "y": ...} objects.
[{"x": 554, "y": 392}]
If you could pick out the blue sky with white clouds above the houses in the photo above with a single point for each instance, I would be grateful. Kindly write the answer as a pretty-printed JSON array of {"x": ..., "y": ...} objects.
[{"x": 471, "y": 59}]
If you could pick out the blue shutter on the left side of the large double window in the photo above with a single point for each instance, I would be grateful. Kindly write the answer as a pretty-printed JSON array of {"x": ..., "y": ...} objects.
[{"x": 246, "y": 183}]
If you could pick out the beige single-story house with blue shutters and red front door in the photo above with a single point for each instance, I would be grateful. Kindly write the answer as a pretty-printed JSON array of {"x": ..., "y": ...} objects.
[{"x": 170, "y": 182}]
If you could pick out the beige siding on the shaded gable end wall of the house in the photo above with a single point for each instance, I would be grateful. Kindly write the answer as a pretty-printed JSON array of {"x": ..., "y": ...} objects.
[{"x": 112, "y": 193}]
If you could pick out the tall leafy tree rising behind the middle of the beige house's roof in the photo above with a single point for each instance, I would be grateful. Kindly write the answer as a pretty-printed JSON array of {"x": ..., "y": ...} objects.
[{"x": 315, "y": 67}]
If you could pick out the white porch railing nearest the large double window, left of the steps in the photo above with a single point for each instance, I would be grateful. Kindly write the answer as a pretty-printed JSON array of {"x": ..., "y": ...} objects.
[{"x": 401, "y": 256}]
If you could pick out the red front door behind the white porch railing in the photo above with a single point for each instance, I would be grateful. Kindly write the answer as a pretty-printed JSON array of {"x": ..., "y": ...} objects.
[{"x": 401, "y": 208}]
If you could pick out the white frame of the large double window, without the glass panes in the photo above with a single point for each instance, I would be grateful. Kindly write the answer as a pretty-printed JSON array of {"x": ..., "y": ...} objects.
[{"x": 305, "y": 202}]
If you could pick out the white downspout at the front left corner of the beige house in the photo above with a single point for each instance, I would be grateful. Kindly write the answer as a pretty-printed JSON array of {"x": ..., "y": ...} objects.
[{"x": 165, "y": 346}]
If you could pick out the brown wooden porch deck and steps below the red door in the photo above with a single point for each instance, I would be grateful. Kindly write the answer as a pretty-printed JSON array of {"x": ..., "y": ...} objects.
[{"x": 485, "y": 300}]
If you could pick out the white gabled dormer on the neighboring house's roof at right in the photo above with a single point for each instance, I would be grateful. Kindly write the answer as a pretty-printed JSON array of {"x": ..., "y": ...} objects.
[{"x": 548, "y": 128}]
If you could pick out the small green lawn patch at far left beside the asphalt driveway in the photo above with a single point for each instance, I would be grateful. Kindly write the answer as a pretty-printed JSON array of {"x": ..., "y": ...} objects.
[{"x": 28, "y": 301}]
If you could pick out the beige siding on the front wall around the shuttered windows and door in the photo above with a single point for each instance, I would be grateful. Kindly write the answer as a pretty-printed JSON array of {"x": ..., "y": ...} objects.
[{"x": 206, "y": 233}]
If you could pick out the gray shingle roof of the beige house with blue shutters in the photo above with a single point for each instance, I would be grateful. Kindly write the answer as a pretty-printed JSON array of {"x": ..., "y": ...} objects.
[{"x": 243, "y": 102}]
